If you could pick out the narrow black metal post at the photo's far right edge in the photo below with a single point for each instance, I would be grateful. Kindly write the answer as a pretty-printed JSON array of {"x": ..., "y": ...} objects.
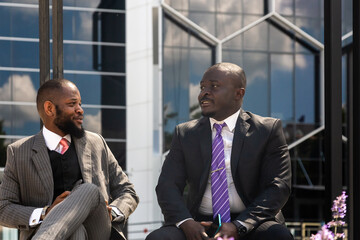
[{"x": 355, "y": 186}]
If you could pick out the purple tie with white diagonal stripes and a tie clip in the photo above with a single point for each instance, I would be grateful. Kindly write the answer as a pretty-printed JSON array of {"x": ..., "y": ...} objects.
[{"x": 219, "y": 187}]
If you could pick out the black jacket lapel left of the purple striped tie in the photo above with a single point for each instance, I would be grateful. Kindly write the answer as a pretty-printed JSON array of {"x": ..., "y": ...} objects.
[{"x": 205, "y": 139}]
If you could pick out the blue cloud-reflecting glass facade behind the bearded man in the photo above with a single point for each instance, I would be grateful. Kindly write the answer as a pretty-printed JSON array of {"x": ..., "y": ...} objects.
[{"x": 94, "y": 59}]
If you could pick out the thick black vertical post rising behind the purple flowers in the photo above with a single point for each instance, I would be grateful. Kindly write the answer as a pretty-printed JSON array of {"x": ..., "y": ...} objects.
[{"x": 333, "y": 108}]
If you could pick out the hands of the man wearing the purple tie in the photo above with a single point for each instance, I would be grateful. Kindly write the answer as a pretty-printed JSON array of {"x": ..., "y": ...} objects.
[{"x": 197, "y": 230}]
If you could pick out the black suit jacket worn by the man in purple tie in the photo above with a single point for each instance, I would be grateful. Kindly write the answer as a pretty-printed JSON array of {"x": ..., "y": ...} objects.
[{"x": 260, "y": 166}]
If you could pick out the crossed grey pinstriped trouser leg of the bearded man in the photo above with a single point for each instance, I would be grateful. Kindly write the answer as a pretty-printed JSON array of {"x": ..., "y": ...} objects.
[{"x": 85, "y": 206}]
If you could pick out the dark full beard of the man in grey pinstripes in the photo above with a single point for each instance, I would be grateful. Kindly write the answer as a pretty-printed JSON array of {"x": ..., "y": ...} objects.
[{"x": 67, "y": 126}]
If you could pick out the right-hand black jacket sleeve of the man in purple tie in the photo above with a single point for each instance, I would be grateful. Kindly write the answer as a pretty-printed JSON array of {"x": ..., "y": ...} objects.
[{"x": 274, "y": 182}]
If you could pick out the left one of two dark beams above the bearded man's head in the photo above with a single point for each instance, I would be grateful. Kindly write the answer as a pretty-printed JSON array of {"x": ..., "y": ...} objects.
[{"x": 44, "y": 41}]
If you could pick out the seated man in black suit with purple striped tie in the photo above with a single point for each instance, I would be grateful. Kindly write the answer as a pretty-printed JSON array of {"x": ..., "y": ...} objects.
[{"x": 257, "y": 166}]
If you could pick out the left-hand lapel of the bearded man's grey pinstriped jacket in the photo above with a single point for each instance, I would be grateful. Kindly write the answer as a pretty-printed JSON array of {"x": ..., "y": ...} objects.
[{"x": 42, "y": 163}]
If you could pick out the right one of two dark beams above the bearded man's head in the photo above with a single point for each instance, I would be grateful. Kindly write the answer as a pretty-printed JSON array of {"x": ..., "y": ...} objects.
[{"x": 57, "y": 36}]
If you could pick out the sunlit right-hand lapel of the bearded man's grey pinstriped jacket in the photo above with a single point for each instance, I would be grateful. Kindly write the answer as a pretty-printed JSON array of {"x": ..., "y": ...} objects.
[{"x": 83, "y": 152}]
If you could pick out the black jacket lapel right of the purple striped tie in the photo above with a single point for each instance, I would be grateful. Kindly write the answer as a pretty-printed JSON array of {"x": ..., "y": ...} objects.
[{"x": 241, "y": 128}]
